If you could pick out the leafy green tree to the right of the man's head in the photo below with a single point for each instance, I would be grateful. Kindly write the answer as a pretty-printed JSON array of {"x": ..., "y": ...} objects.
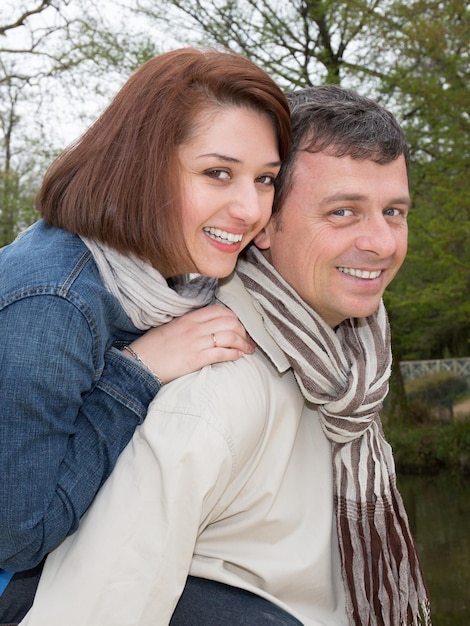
[{"x": 430, "y": 297}]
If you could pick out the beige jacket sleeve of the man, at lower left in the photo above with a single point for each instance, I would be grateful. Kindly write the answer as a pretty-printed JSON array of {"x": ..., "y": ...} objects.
[{"x": 129, "y": 561}]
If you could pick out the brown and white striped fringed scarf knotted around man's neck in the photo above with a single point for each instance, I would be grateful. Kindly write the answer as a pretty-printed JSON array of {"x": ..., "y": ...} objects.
[{"x": 345, "y": 373}]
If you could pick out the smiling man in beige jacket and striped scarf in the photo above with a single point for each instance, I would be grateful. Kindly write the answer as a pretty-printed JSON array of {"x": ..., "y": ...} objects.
[{"x": 270, "y": 475}]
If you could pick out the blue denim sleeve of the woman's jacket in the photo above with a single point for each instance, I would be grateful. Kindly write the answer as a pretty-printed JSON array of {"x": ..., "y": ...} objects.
[{"x": 63, "y": 422}]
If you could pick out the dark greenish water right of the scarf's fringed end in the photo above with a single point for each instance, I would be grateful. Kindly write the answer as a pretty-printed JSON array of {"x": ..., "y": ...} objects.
[{"x": 438, "y": 508}]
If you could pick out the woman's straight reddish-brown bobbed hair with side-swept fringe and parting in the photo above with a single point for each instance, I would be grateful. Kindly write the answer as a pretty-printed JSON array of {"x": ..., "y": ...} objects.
[{"x": 120, "y": 182}]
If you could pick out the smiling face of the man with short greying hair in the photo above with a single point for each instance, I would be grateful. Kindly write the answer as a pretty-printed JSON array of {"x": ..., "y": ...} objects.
[{"x": 341, "y": 236}]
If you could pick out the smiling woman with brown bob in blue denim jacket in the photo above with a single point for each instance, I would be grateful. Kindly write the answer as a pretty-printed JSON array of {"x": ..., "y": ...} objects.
[{"x": 162, "y": 192}]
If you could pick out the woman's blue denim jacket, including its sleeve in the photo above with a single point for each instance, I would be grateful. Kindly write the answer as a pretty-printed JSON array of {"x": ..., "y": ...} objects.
[{"x": 70, "y": 400}]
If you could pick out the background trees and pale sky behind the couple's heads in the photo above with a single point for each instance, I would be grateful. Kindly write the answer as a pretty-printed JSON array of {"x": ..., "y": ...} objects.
[{"x": 413, "y": 56}]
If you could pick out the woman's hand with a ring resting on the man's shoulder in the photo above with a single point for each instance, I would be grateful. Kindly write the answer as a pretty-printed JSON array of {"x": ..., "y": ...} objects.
[{"x": 212, "y": 334}]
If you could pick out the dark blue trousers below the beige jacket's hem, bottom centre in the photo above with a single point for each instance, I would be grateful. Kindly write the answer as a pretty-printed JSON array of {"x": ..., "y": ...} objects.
[{"x": 208, "y": 603}]
